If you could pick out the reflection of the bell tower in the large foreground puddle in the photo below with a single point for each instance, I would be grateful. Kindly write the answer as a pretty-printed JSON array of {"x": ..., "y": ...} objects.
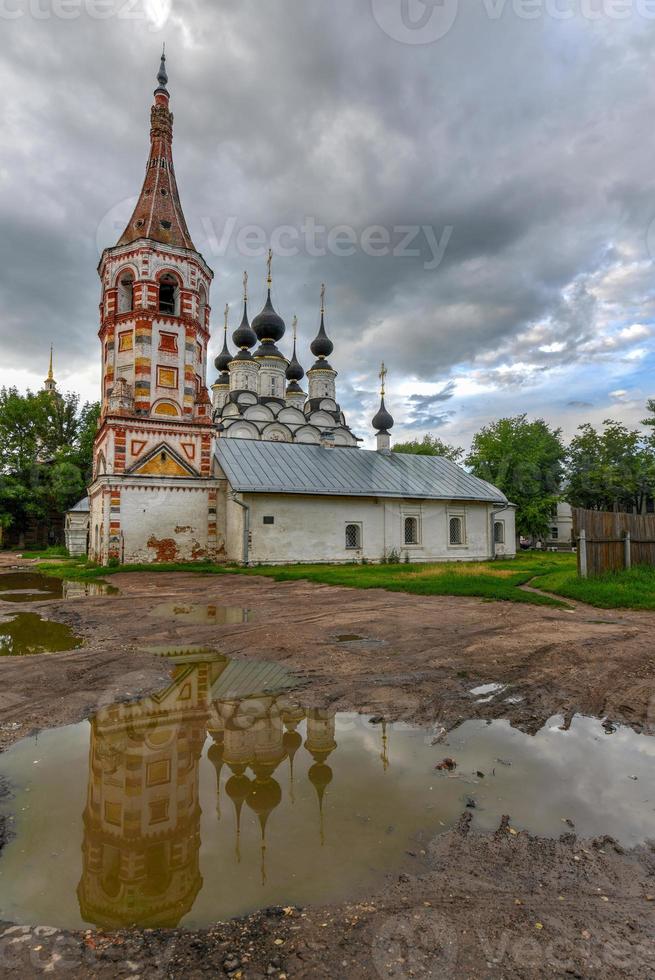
[{"x": 142, "y": 818}]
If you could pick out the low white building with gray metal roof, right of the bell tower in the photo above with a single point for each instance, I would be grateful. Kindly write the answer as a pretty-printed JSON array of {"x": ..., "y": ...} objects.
[{"x": 299, "y": 503}]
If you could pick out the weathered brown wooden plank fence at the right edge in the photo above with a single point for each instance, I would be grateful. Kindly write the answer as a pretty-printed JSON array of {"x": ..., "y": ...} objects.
[{"x": 611, "y": 542}]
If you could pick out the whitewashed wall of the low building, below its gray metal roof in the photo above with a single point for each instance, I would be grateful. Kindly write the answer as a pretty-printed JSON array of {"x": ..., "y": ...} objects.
[{"x": 313, "y": 529}]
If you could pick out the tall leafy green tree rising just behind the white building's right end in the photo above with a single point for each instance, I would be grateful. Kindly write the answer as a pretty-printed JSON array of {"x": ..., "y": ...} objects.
[{"x": 526, "y": 461}]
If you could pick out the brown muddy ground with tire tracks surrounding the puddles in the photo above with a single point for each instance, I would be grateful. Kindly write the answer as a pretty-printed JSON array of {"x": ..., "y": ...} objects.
[{"x": 480, "y": 906}]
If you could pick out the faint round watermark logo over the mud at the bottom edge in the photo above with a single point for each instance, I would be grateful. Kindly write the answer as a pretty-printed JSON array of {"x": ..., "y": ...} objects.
[{"x": 416, "y": 943}]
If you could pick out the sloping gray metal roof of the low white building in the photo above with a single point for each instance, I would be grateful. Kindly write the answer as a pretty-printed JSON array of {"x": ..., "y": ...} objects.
[{"x": 277, "y": 467}]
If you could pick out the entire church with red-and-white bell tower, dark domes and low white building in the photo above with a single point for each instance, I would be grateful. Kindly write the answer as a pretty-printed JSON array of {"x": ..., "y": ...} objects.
[{"x": 257, "y": 470}]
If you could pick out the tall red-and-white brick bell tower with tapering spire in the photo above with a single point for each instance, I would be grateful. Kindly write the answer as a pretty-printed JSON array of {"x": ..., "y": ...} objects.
[{"x": 152, "y": 496}]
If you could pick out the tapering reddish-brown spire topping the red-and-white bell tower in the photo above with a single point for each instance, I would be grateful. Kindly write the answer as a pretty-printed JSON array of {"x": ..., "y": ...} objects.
[{"x": 158, "y": 214}]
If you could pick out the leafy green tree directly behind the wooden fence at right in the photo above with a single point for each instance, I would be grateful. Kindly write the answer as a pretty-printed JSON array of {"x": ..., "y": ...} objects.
[{"x": 613, "y": 469}]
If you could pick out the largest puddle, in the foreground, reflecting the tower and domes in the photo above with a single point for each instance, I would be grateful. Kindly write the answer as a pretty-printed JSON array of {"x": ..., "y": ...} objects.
[{"x": 216, "y": 797}]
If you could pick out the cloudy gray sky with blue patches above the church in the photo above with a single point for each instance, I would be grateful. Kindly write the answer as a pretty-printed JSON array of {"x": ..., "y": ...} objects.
[{"x": 473, "y": 180}]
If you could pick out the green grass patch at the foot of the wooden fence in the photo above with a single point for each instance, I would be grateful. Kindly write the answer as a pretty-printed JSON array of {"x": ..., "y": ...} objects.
[{"x": 634, "y": 589}]
